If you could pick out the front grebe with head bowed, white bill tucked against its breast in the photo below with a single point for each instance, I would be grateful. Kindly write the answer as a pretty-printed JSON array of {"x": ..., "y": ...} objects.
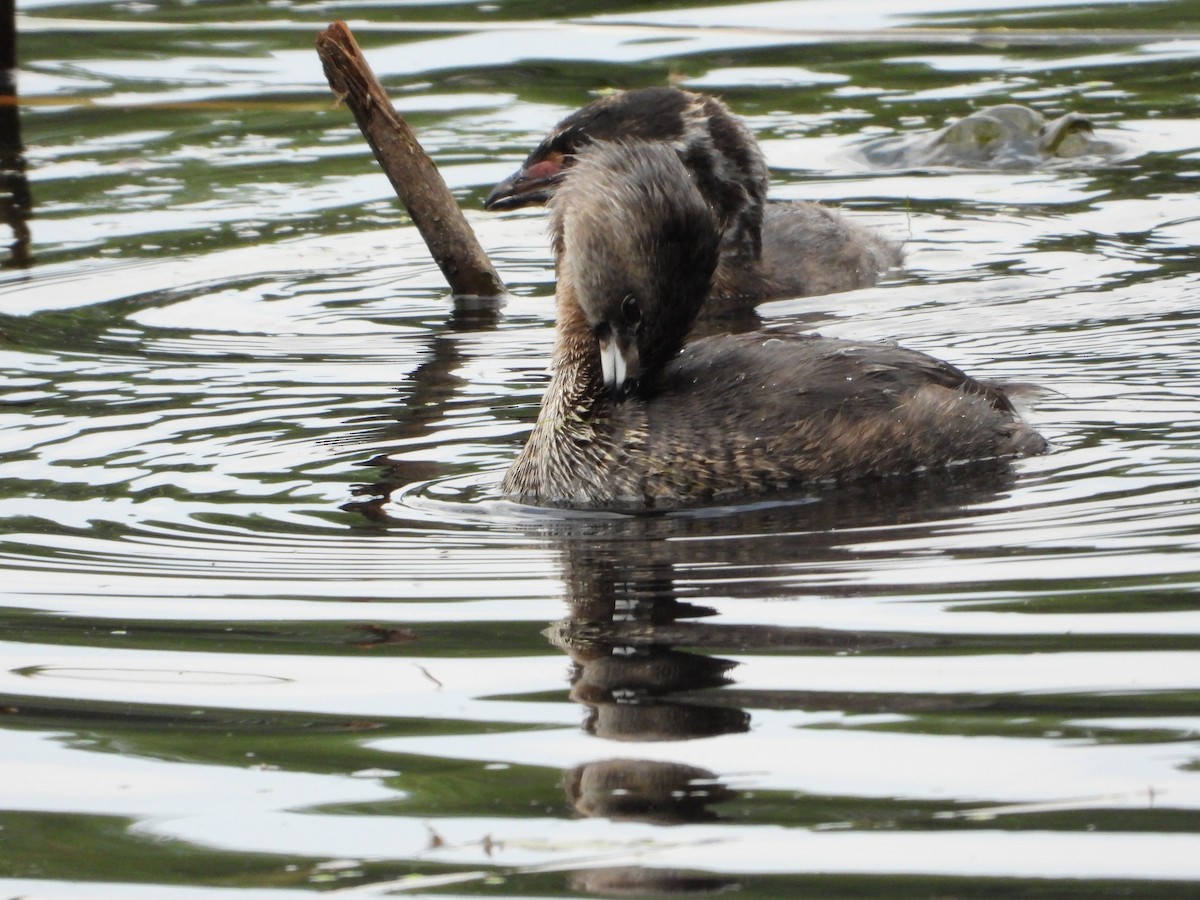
[{"x": 631, "y": 422}]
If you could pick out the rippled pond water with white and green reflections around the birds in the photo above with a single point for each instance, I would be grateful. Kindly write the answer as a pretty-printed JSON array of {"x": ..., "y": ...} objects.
[{"x": 269, "y": 626}]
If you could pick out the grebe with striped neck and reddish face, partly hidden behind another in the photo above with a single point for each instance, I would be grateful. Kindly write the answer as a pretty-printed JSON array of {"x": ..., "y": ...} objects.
[{"x": 770, "y": 250}]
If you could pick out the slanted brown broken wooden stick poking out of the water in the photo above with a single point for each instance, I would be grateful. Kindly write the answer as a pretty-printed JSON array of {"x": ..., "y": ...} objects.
[{"x": 412, "y": 173}]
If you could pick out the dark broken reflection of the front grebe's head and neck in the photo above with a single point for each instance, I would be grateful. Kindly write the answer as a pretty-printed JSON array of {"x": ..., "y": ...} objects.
[{"x": 638, "y": 688}]
